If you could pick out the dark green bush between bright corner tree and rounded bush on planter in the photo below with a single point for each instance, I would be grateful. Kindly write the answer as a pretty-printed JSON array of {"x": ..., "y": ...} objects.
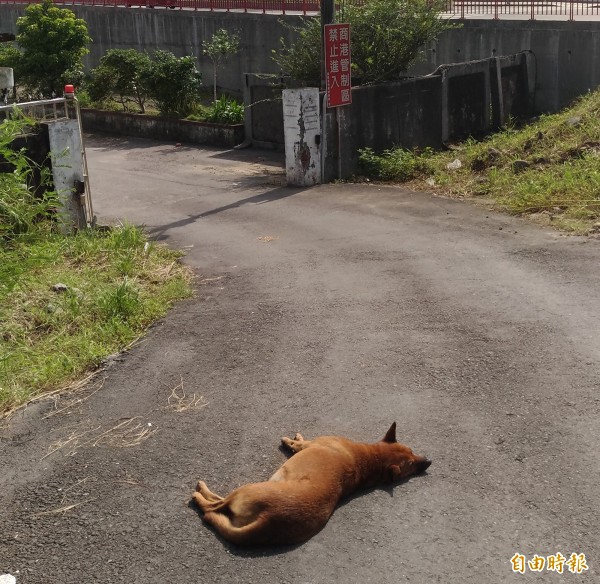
[{"x": 121, "y": 75}]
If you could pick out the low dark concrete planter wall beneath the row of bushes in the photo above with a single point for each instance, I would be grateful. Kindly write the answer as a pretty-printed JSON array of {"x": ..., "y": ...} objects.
[{"x": 156, "y": 128}]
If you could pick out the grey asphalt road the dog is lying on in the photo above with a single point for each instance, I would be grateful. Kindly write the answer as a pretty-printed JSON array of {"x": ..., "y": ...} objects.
[{"x": 331, "y": 310}]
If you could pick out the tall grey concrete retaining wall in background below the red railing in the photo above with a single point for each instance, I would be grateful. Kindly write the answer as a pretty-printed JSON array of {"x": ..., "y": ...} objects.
[{"x": 567, "y": 53}]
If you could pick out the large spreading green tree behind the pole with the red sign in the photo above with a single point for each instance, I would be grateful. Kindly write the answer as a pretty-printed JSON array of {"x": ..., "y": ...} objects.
[{"x": 388, "y": 36}]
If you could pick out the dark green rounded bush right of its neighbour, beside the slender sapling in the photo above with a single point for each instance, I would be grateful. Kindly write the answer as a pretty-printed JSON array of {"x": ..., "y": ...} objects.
[{"x": 173, "y": 83}]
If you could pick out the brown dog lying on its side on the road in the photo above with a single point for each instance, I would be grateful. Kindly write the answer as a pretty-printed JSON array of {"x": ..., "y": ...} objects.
[{"x": 297, "y": 501}]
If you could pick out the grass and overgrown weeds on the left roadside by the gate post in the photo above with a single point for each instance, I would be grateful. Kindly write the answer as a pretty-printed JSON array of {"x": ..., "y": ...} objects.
[{"x": 113, "y": 285}]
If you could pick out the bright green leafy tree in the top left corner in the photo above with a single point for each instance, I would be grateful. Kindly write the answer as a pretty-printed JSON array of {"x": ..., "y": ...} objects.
[{"x": 53, "y": 43}]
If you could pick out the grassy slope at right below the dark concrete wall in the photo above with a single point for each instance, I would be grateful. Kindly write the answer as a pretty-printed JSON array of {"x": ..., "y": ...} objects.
[{"x": 548, "y": 169}]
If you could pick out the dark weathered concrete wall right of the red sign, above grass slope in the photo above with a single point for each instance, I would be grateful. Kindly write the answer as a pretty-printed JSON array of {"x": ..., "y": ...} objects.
[{"x": 460, "y": 100}]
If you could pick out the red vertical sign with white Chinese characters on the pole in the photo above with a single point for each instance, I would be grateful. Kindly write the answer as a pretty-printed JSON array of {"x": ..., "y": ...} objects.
[{"x": 337, "y": 64}]
